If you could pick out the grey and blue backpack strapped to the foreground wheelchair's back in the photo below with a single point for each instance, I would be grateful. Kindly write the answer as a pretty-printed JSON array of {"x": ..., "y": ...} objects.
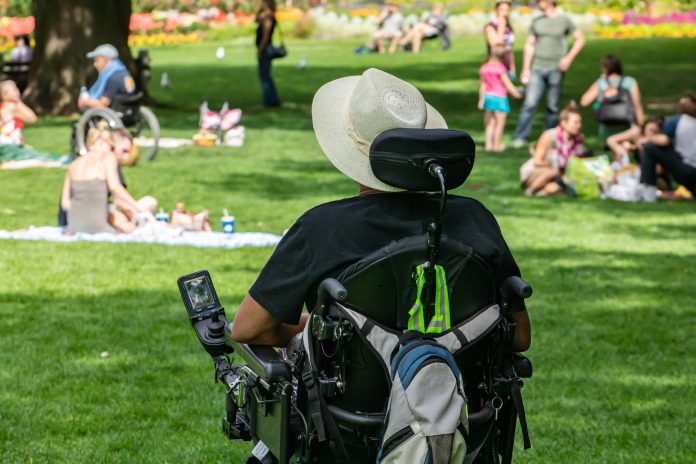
[{"x": 426, "y": 420}]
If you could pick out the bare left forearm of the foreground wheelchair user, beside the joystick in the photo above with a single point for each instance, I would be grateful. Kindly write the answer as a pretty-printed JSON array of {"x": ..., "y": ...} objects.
[{"x": 254, "y": 325}]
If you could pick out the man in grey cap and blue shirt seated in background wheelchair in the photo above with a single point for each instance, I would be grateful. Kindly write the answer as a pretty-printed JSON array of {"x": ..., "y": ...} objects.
[{"x": 114, "y": 79}]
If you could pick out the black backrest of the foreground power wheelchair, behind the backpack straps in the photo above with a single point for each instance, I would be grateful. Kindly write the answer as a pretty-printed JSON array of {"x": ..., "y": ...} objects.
[{"x": 381, "y": 287}]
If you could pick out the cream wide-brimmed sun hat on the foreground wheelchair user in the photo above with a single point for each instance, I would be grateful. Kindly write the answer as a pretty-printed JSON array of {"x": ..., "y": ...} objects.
[{"x": 350, "y": 112}]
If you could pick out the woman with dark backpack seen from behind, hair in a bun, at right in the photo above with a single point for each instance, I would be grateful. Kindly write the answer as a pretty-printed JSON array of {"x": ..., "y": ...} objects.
[{"x": 616, "y": 100}]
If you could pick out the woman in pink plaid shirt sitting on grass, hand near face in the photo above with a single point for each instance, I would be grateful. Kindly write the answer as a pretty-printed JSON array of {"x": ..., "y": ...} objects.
[{"x": 543, "y": 174}]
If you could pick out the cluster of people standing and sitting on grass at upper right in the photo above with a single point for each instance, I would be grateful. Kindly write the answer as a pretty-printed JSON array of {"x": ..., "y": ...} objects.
[{"x": 666, "y": 151}]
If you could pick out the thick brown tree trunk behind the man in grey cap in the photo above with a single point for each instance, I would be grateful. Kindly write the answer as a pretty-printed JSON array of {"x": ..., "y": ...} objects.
[{"x": 65, "y": 31}]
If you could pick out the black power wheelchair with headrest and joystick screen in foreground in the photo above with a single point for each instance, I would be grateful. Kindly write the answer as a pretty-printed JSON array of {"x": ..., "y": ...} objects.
[{"x": 324, "y": 397}]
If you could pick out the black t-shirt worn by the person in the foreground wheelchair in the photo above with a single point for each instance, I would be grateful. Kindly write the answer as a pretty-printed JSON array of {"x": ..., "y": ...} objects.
[{"x": 330, "y": 237}]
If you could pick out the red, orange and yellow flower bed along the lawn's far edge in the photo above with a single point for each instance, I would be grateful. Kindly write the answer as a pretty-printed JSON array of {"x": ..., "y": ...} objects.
[{"x": 173, "y": 27}]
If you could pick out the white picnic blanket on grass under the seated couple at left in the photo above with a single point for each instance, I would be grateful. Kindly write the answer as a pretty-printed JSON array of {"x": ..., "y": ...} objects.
[{"x": 159, "y": 235}]
